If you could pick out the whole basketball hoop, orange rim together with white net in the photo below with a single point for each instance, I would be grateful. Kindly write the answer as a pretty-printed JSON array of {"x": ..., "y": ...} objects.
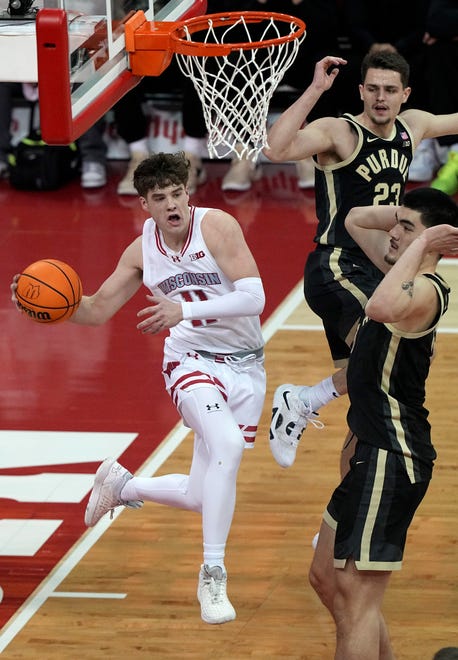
[{"x": 235, "y": 80}]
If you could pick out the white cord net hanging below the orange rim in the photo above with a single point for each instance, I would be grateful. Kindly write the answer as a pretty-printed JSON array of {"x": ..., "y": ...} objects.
[{"x": 236, "y": 89}]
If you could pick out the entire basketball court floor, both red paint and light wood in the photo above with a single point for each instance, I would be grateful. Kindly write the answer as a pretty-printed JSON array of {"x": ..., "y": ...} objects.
[{"x": 69, "y": 396}]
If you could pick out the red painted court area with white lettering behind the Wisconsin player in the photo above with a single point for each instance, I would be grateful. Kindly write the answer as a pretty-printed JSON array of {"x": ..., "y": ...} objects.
[{"x": 93, "y": 392}]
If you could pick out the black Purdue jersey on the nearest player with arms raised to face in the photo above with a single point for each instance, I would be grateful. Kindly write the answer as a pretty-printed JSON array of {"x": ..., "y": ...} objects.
[{"x": 386, "y": 378}]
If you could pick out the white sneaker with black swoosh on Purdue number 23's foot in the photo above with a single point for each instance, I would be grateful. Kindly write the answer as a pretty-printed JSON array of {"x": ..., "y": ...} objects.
[{"x": 290, "y": 416}]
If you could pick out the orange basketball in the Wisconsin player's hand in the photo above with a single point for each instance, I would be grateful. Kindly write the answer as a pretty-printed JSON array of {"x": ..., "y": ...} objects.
[{"x": 49, "y": 291}]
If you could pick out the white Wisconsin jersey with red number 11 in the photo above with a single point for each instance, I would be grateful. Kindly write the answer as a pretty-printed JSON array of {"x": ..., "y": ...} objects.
[{"x": 193, "y": 274}]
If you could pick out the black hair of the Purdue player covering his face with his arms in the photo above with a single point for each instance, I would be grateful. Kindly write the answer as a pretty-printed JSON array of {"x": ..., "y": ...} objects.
[{"x": 434, "y": 206}]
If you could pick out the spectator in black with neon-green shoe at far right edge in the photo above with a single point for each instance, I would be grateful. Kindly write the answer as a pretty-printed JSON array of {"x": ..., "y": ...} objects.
[{"x": 441, "y": 39}]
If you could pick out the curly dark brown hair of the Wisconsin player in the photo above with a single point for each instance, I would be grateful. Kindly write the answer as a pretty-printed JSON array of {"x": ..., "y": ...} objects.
[{"x": 161, "y": 170}]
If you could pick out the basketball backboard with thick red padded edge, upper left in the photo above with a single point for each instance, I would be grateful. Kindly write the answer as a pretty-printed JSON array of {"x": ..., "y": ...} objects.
[{"x": 82, "y": 60}]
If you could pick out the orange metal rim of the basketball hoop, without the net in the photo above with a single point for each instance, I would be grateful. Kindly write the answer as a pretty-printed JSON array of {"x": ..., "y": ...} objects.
[{"x": 182, "y": 46}]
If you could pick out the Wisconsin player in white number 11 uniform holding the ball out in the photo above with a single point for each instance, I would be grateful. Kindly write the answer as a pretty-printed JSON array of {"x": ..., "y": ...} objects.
[{"x": 205, "y": 287}]
